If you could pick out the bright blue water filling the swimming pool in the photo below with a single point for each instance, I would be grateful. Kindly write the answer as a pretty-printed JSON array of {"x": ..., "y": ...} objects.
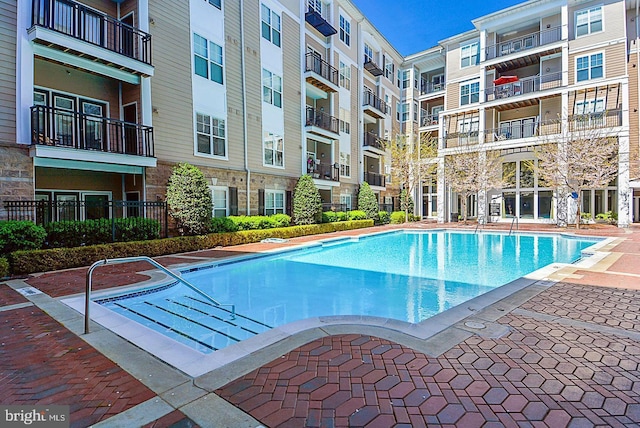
[{"x": 410, "y": 276}]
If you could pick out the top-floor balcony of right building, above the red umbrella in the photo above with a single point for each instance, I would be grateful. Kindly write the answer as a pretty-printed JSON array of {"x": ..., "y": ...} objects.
[{"x": 526, "y": 48}]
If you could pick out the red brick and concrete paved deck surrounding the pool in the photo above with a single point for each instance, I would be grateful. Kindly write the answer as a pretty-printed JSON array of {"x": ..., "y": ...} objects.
[{"x": 557, "y": 354}]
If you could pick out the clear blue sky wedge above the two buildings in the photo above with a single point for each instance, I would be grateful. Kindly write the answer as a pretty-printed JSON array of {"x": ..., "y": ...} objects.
[{"x": 415, "y": 25}]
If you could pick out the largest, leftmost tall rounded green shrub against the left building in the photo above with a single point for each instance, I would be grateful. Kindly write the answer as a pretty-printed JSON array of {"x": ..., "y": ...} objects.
[{"x": 189, "y": 200}]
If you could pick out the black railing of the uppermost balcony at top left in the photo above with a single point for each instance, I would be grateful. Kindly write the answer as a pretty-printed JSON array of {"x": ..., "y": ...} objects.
[{"x": 82, "y": 23}]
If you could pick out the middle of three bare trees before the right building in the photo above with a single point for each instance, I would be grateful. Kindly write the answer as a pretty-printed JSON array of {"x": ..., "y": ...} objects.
[{"x": 471, "y": 172}]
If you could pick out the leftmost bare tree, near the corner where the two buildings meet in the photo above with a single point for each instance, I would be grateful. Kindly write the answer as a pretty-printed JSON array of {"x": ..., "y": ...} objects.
[{"x": 411, "y": 163}]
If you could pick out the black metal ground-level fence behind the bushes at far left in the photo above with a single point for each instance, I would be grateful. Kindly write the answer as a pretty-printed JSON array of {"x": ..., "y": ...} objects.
[{"x": 67, "y": 215}]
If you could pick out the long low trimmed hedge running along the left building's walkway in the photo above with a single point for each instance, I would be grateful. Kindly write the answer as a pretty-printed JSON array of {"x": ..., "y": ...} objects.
[{"x": 26, "y": 262}]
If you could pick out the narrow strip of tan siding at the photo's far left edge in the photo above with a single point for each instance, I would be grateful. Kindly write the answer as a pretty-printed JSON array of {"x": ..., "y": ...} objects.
[{"x": 8, "y": 71}]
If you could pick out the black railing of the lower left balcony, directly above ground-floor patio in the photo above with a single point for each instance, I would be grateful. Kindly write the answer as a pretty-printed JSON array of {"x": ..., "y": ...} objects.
[{"x": 63, "y": 128}]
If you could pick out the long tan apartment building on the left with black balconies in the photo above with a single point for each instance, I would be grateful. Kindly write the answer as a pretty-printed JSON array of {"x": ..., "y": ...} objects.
[{"x": 254, "y": 93}]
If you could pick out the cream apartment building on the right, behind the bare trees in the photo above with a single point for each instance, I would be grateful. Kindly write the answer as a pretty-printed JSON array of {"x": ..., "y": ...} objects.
[{"x": 525, "y": 76}]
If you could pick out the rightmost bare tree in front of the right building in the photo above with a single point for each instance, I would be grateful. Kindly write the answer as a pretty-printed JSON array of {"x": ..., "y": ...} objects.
[{"x": 582, "y": 157}]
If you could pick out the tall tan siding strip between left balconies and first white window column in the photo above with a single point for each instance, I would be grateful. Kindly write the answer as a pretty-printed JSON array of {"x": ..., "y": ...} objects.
[{"x": 171, "y": 83}]
